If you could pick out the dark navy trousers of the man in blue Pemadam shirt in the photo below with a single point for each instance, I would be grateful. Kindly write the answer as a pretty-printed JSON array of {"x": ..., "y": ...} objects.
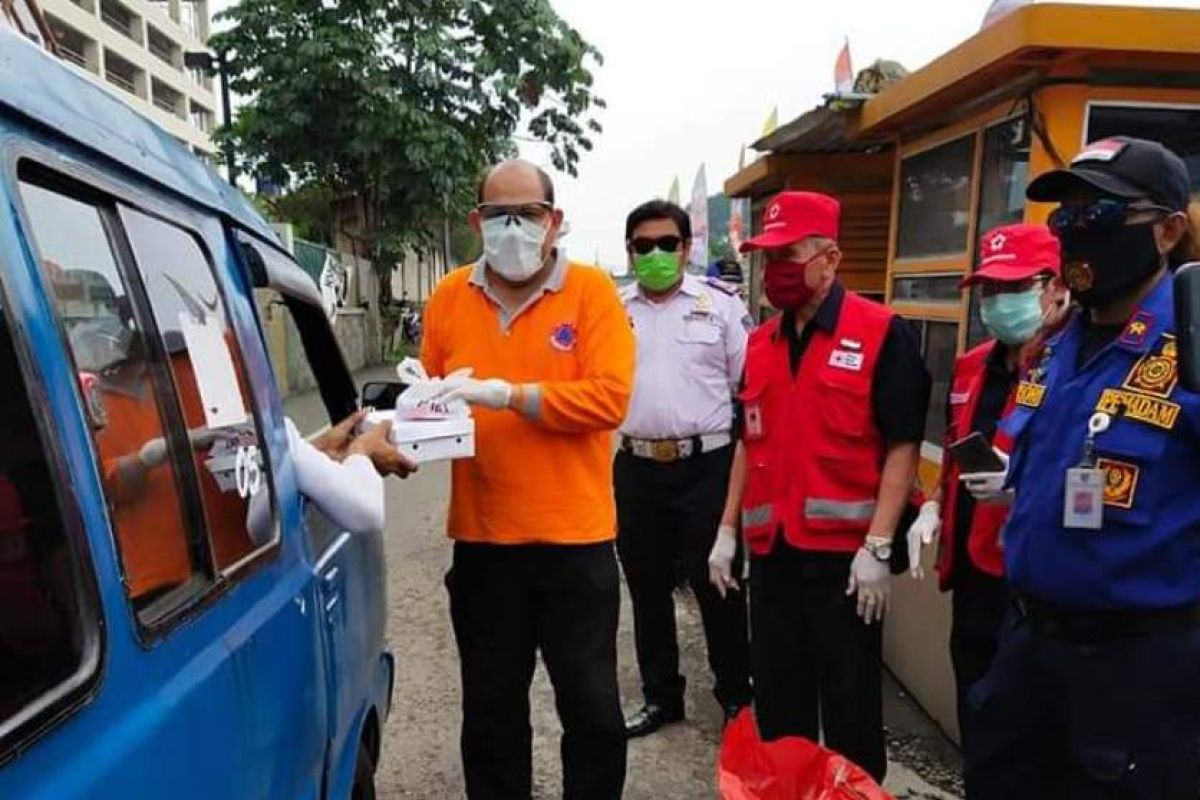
[{"x": 1058, "y": 720}]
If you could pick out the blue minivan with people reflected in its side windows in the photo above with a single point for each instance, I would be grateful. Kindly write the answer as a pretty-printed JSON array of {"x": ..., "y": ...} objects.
[{"x": 176, "y": 621}]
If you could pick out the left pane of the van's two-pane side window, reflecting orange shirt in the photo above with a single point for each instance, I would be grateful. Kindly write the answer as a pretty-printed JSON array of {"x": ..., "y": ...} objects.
[{"x": 163, "y": 564}]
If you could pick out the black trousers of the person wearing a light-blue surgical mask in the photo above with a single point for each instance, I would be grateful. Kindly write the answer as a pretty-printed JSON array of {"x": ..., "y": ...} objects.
[{"x": 980, "y": 604}]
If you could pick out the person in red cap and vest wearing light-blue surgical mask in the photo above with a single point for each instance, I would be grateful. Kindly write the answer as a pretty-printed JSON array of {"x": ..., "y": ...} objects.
[{"x": 1022, "y": 299}]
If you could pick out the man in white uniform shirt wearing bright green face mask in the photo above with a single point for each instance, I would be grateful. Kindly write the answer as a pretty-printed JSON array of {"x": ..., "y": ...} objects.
[{"x": 674, "y": 466}]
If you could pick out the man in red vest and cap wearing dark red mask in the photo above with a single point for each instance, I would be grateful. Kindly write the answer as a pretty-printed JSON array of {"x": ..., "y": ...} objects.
[{"x": 833, "y": 411}]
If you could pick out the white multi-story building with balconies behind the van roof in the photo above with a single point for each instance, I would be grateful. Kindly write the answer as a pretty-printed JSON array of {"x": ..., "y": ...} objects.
[{"x": 136, "y": 49}]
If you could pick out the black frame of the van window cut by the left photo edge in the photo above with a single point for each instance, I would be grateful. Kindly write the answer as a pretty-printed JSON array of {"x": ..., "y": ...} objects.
[{"x": 61, "y": 702}]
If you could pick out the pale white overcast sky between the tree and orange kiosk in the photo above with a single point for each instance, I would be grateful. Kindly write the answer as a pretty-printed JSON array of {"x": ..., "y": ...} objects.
[{"x": 693, "y": 81}]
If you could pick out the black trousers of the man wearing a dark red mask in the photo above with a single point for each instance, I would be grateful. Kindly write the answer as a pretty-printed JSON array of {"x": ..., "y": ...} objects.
[{"x": 818, "y": 667}]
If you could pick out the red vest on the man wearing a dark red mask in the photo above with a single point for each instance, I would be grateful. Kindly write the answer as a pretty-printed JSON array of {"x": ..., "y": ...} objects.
[{"x": 814, "y": 454}]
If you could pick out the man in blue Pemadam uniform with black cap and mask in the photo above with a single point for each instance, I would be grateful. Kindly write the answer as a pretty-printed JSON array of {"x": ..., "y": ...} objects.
[{"x": 1096, "y": 689}]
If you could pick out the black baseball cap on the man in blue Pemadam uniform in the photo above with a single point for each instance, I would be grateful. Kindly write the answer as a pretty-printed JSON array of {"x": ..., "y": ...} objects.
[{"x": 1123, "y": 167}]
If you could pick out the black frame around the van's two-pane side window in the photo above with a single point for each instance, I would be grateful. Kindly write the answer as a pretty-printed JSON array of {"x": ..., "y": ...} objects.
[{"x": 83, "y": 182}]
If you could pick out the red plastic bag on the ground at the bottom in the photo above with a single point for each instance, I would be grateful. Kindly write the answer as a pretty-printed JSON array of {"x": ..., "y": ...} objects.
[{"x": 787, "y": 769}]
